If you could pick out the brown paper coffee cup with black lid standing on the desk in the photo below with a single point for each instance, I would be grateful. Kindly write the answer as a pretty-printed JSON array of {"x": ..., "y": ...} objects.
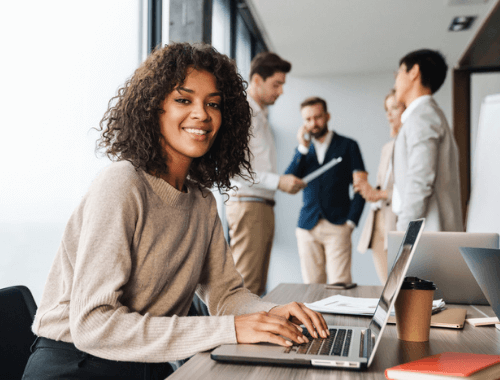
[{"x": 414, "y": 309}]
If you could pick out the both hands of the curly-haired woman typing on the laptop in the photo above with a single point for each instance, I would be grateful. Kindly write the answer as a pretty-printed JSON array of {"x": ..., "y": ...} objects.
[{"x": 280, "y": 323}]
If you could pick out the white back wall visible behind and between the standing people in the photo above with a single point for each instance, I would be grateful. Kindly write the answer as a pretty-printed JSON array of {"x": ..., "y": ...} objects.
[{"x": 356, "y": 105}]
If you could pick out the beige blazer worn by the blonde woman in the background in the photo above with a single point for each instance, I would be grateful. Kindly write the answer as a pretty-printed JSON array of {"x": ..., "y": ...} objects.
[{"x": 389, "y": 216}]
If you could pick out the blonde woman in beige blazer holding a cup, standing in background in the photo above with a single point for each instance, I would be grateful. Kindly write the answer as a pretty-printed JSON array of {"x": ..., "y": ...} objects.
[{"x": 381, "y": 218}]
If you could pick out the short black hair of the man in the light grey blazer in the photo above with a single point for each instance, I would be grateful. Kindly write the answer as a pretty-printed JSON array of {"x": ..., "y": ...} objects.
[{"x": 432, "y": 66}]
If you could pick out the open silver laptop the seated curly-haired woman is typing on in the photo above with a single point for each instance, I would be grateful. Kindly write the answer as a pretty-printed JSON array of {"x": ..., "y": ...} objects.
[{"x": 348, "y": 346}]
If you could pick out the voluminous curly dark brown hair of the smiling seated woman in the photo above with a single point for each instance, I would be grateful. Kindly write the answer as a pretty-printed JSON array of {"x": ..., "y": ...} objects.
[{"x": 131, "y": 129}]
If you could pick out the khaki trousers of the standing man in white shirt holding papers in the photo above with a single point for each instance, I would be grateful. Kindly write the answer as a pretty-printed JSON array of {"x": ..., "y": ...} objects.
[{"x": 251, "y": 232}]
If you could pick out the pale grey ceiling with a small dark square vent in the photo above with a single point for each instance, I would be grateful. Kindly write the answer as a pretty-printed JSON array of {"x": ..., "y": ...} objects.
[{"x": 331, "y": 37}]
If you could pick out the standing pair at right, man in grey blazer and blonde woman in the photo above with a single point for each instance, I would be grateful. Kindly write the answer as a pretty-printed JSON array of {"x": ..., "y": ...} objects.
[{"x": 418, "y": 174}]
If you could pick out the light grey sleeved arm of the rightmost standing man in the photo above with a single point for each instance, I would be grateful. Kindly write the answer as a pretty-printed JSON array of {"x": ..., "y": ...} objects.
[{"x": 423, "y": 148}]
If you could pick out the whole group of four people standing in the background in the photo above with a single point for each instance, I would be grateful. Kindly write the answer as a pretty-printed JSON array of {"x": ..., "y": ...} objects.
[{"x": 418, "y": 176}]
